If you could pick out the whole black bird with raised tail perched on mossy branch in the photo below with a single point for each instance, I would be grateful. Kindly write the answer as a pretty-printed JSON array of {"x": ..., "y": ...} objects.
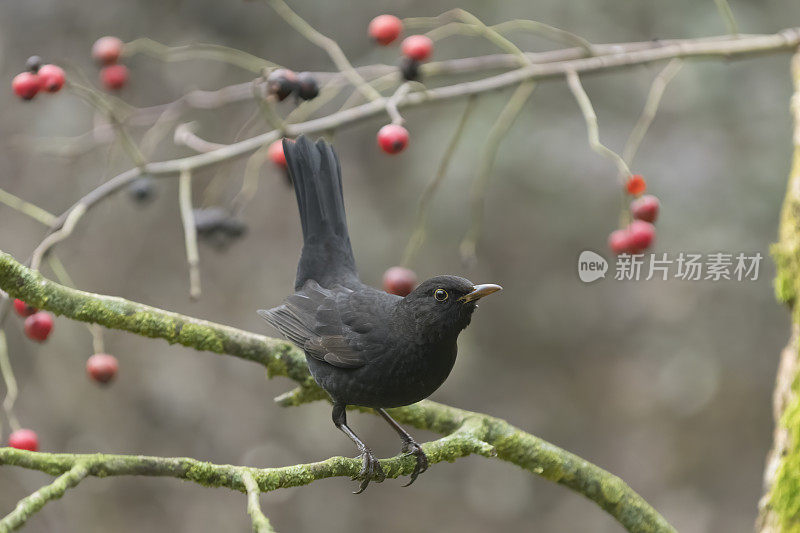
[{"x": 364, "y": 346}]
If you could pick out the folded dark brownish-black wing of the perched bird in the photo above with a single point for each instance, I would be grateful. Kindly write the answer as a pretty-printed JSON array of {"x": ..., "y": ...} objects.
[{"x": 336, "y": 325}]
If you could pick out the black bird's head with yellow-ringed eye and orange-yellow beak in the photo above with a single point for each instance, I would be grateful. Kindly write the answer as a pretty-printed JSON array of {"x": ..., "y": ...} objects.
[{"x": 443, "y": 305}]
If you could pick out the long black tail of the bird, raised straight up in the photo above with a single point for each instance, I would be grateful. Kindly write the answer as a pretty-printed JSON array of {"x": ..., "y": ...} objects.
[{"x": 327, "y": 256}]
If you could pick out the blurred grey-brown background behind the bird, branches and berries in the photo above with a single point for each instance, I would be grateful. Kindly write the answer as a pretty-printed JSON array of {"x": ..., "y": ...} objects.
[{"x": 666, "y": 384}]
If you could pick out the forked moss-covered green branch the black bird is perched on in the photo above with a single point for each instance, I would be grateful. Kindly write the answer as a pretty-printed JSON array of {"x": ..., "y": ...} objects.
[{"x": 465, "y": 433}]
